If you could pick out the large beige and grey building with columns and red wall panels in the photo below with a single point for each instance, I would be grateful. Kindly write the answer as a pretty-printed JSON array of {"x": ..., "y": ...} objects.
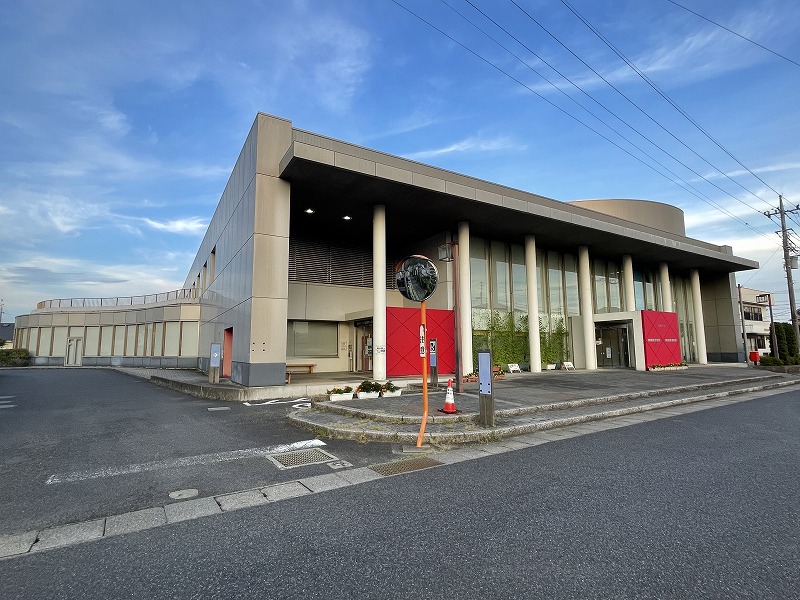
[{"x": 296, "y": 268}]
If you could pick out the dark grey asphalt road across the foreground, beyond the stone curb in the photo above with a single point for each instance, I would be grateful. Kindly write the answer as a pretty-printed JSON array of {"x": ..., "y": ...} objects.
[{"x": 704, "y": 505}]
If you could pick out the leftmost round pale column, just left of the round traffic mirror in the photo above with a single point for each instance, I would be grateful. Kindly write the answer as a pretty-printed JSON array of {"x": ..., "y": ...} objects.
[{"x": 379, "y": 293}]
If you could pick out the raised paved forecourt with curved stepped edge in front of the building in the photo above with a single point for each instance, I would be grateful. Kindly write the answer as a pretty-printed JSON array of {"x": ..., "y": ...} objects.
[{"x": 524, "y": 402}]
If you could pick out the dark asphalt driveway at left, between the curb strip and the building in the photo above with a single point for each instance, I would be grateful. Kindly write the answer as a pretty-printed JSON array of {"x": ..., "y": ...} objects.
[{"x": 78, "y": 444}]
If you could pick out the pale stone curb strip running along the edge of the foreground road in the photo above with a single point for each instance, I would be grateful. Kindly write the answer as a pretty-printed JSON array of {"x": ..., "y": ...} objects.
[{"x": 21, "y": 544}]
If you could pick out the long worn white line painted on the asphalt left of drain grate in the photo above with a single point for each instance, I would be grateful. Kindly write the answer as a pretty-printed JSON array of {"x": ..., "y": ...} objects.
[{"x": 202, "y": 459}]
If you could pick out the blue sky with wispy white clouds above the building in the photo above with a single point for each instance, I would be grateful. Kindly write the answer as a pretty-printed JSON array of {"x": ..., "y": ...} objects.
[{"x": 120, "y": 121}]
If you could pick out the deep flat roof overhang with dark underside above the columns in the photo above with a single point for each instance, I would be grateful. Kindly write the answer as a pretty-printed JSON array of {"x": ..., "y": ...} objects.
[{"x": 336, "y": 179}]
